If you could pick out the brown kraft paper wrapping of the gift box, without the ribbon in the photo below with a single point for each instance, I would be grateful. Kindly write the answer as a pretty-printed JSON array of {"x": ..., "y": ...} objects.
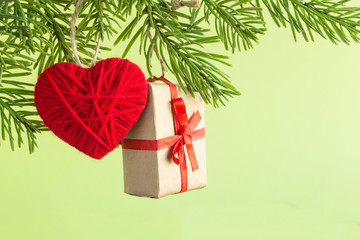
[{"x": 153, "y": 173}]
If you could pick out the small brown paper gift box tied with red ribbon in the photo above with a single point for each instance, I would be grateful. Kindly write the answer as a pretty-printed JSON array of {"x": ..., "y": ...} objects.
[{"x": 164, "y": 152}]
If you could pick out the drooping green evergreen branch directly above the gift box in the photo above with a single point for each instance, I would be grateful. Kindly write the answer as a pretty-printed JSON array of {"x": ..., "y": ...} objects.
[{"x": 180, "y": 45}]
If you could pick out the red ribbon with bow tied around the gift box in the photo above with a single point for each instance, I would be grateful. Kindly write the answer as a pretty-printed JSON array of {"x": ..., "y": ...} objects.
[{"x": 185, "y": 135}]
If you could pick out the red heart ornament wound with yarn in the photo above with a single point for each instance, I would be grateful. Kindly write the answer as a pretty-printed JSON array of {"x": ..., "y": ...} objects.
[{"x": 91, "y": 109}]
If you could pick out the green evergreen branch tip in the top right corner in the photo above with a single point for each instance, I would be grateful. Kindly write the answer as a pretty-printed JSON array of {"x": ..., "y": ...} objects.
[{"x": 332, "y": 20}]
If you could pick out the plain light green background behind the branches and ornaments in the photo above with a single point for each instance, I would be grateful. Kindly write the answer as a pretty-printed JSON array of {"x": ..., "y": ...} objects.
[{"x": 283, "y": 162}]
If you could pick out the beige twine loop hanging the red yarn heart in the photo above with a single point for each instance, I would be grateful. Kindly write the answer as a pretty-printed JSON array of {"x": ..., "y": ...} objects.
[{"x": 73, "y": 41}]
